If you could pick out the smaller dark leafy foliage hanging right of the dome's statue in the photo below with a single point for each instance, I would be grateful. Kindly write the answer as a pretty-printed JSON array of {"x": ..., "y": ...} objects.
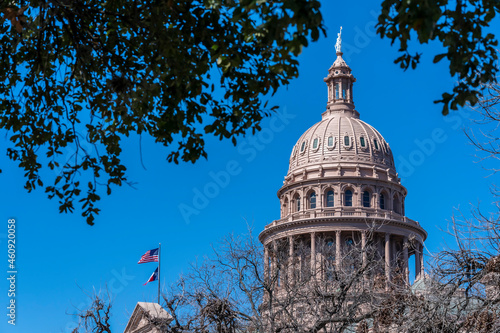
[{"x": 461, "y": 27}]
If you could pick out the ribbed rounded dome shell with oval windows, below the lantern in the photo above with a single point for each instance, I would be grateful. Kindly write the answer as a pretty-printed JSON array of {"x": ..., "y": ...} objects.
[{"x": 341, "y": 137}]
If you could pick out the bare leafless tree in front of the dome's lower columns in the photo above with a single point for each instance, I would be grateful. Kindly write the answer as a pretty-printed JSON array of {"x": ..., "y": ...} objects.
[{"x": 231, "y": 291}]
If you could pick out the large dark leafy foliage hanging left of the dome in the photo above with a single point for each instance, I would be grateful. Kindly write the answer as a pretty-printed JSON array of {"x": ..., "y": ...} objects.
[{"x": 80, "y": 76}]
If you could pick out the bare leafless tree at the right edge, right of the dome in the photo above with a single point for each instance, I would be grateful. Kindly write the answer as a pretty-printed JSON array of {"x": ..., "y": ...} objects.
[{"x": 461, "y": 291}]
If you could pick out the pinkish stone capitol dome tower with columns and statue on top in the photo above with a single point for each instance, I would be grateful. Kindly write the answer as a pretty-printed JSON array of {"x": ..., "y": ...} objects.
[{"x": 342, "y": 189}]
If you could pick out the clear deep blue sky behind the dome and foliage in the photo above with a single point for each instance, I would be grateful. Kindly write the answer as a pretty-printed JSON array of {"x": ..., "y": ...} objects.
[{"x": 60, "y": 258}]
